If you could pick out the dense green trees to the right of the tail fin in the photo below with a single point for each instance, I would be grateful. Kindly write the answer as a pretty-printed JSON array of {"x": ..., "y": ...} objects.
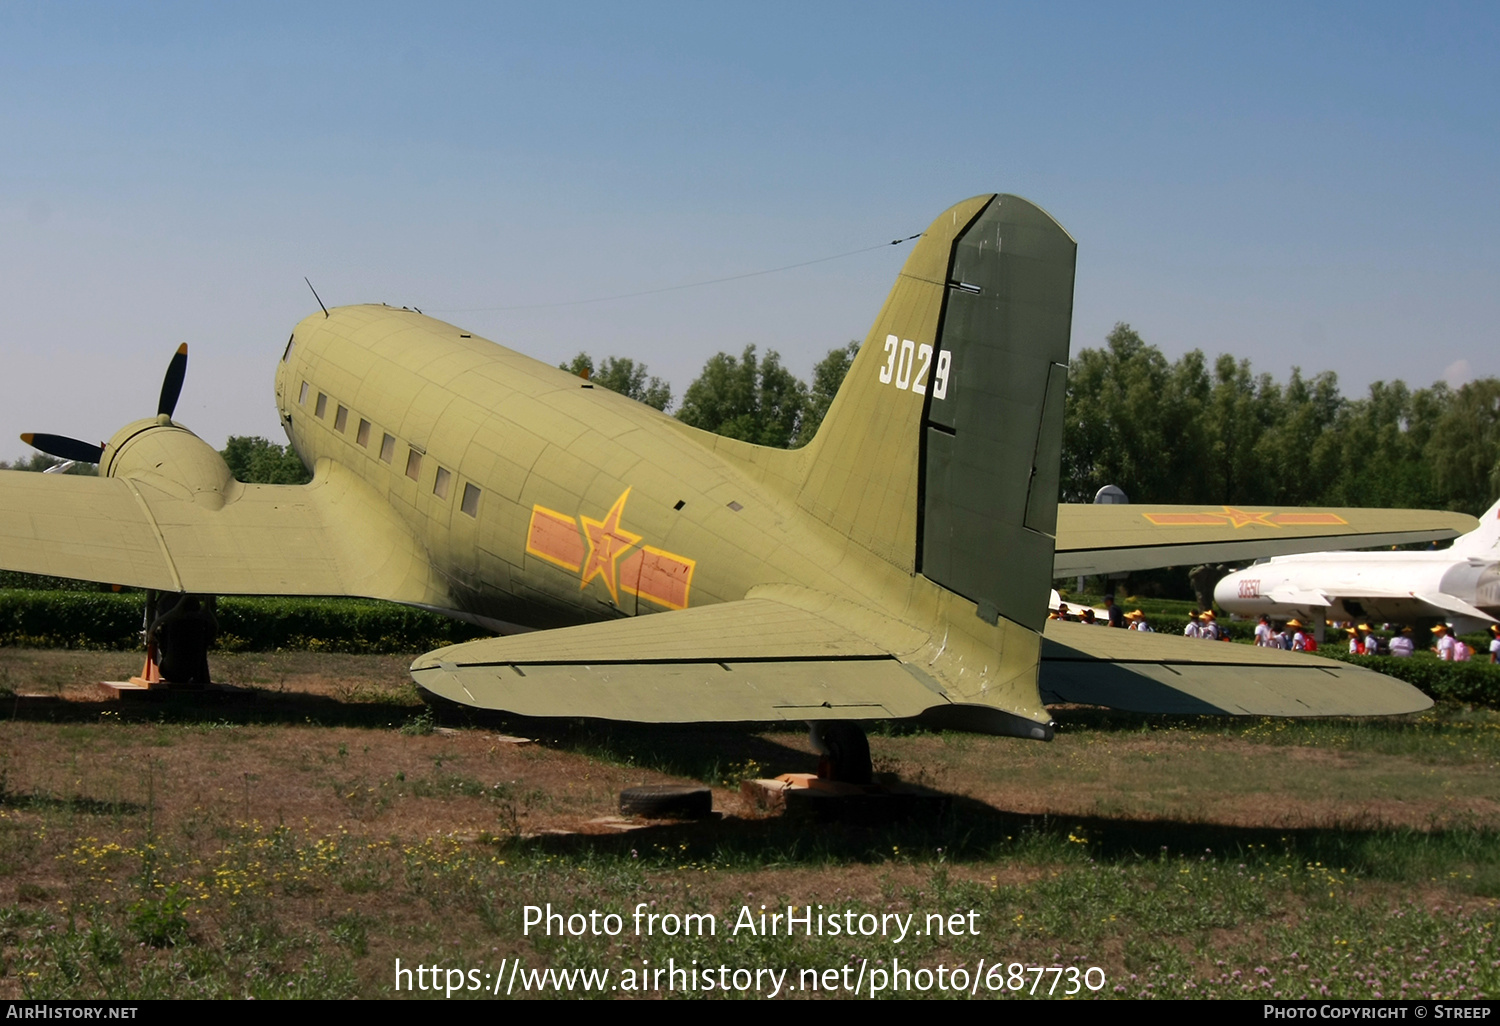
[{"x": 1187, "y": 433}]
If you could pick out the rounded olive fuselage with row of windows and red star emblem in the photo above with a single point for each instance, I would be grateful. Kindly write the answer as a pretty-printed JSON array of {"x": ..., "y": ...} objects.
[{"x": 544, "y": 500}]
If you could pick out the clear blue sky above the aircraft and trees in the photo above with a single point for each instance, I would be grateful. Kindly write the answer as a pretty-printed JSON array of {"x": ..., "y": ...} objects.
[{"x": 1301, "y": 185}]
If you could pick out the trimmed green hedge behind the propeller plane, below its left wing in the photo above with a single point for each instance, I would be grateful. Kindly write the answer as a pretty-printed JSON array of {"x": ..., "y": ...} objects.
[{"x": 113, "y": 622}]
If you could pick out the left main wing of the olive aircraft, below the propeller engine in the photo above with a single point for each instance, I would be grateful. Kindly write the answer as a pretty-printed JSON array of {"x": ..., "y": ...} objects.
[{"x": 331, "y": 538}]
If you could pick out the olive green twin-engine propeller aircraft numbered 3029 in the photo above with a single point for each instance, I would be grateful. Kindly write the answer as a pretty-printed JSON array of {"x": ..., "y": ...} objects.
[{"x": 895, "y": 568}]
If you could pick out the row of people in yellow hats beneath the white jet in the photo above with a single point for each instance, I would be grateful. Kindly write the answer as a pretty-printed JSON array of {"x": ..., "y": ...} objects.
[{"x": 1294, "y": 635}]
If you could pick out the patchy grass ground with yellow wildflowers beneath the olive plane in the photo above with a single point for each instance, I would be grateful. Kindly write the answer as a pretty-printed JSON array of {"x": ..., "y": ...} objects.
[{"x": 251, "y": 854}]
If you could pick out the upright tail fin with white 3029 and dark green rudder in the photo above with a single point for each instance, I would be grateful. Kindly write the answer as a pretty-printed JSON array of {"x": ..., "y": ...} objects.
[{"x": 941, "y": 451}]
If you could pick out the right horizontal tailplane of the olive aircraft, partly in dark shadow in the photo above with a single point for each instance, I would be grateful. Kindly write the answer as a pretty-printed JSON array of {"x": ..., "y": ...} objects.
[{"x": 1145, "y": 673}]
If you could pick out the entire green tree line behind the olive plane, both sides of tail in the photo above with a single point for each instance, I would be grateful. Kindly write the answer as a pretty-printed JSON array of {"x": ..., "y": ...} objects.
[{"x": 1183, "y": 431}]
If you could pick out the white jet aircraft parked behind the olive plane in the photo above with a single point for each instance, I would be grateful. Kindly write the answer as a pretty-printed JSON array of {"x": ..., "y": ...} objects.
[{"x": 1460, "y": 584}]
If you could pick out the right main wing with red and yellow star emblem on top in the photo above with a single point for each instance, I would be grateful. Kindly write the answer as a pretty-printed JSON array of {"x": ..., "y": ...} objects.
[{"x": 1114, "y": 539}]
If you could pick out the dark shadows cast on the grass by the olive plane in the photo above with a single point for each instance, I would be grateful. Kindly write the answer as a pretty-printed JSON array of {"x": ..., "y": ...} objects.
[{"x": 967, "y": 832}]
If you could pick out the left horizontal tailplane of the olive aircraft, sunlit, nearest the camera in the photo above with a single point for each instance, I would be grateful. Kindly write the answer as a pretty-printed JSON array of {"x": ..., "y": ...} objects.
[{"x": 755, "y": 659}]
